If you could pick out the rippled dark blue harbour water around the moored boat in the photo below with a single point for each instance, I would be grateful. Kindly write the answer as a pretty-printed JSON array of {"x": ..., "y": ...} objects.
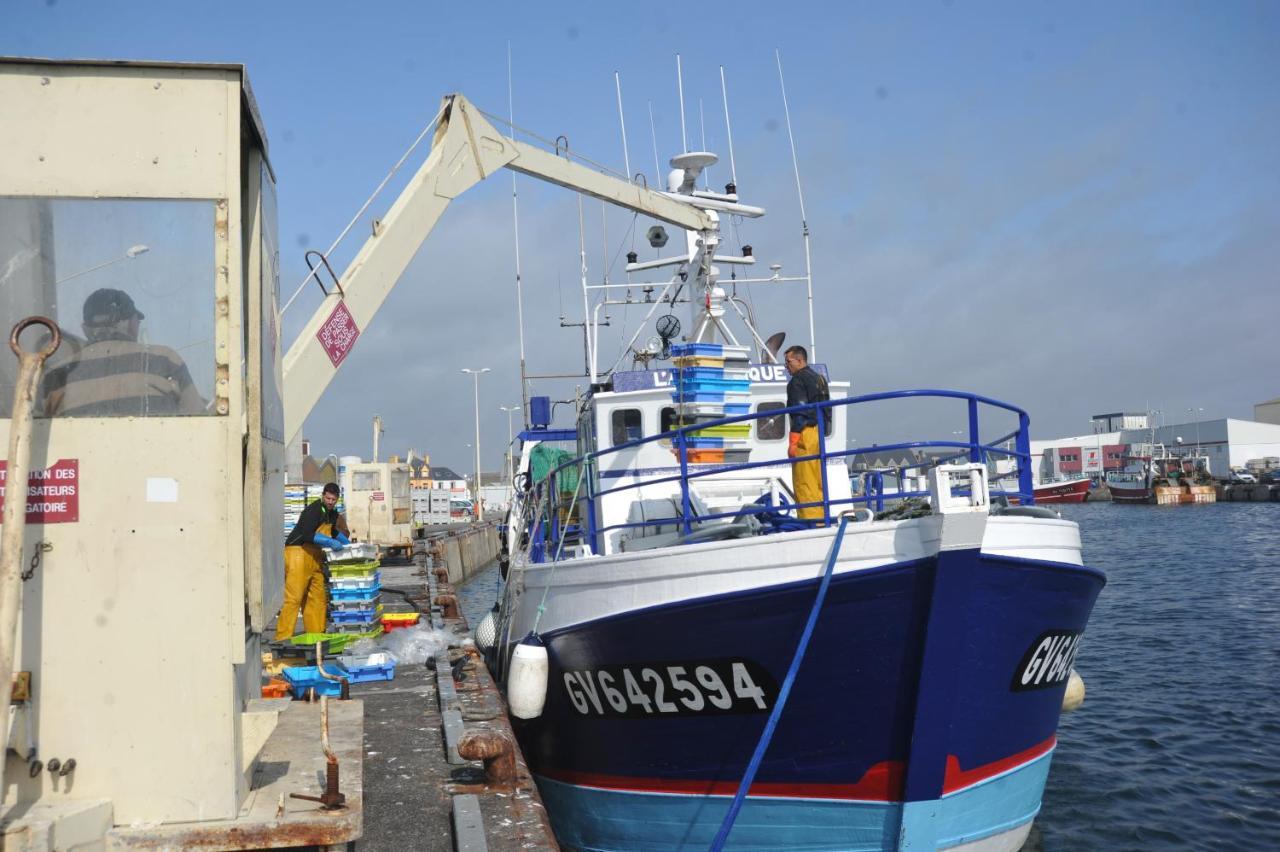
[{"x": 1178, "y": 744}]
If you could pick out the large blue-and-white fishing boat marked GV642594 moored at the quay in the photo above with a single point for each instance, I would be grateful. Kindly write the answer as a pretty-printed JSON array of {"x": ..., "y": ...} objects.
[{"x": 694, "y": 666}]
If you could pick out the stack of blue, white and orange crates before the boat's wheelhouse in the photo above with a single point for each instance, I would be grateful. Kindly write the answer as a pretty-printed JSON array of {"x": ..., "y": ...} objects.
[{"x": 711, "y": 382}]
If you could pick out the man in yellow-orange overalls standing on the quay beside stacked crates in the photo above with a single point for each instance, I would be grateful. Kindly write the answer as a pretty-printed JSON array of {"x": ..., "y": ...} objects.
[{"x": 304, "y": 566}]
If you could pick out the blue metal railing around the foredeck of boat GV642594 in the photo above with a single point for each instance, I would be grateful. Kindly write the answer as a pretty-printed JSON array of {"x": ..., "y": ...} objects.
[{"x": 564, "y": 516}]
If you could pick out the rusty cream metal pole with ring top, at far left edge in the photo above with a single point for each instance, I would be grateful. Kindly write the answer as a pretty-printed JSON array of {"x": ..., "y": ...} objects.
[{"x": 30, "y": 367}]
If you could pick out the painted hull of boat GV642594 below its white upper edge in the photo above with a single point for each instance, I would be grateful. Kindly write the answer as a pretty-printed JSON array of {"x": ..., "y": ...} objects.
[{"x": 925, "y": 713}]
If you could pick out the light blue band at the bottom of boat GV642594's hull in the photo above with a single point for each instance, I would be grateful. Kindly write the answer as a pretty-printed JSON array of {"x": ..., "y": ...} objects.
[{"x": 678, "y": 822}]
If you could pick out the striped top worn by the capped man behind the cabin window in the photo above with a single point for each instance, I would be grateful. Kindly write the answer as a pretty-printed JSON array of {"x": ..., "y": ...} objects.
[{"x": 122, "y": 379}]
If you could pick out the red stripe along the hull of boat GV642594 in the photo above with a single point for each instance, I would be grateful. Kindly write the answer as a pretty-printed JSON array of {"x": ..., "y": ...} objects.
[{"x": 881, "y": 784}]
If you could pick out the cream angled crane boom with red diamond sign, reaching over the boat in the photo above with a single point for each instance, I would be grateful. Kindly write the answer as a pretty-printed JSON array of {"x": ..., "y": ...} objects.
[{"x": 465, "y": 150}]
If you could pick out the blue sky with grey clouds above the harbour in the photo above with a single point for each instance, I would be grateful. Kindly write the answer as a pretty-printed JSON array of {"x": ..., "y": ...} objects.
[{"x": 1071, "y": 208}]
